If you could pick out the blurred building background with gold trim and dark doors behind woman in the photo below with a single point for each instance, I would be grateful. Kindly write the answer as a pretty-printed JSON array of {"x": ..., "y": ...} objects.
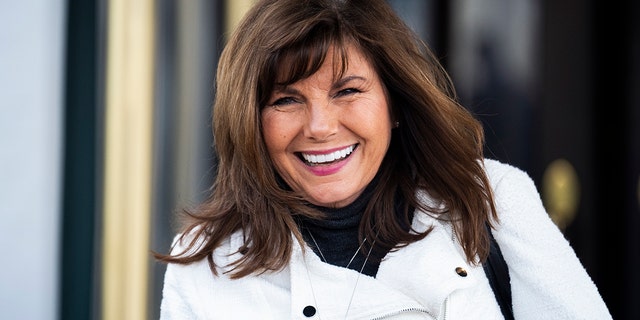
[{"x": 105, "y": 134}]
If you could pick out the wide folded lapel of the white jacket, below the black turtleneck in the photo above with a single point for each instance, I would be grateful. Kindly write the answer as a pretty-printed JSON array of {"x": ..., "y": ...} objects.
[{"x": 419, "y": 276}]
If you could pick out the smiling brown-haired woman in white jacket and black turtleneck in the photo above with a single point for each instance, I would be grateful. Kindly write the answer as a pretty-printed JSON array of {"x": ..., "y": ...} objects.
[{"x": 352, "y": 184}]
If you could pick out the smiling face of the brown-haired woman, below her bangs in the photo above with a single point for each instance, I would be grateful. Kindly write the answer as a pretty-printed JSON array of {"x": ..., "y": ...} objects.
[{"x": 327, "y": 137}]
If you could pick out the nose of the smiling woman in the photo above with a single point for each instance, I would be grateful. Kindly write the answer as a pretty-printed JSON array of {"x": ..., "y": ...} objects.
[{"x": 322, "y": 121}]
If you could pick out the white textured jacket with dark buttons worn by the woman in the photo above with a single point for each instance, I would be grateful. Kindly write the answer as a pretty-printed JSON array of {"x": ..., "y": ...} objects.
[{"x": 416, "y": 282}]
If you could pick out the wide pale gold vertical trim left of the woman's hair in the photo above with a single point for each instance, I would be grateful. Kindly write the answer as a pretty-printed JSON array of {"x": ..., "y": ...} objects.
[{"x": 128, "y": 159}]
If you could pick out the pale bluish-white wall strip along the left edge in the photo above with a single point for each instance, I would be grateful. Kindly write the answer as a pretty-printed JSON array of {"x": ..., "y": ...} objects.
[{"x": 31, "y": 86}]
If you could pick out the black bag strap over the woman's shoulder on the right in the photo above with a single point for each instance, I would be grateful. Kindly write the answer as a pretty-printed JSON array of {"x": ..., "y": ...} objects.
[{"x": 498, "y": 273}]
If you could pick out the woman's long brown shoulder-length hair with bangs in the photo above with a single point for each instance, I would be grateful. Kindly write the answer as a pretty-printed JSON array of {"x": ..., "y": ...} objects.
[{"x": 437, "y": 149}]
